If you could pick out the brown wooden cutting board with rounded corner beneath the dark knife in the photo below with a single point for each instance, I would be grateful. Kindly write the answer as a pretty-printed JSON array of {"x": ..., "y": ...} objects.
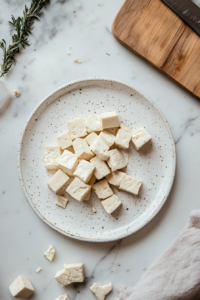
[{"x": 150, "y": 29}]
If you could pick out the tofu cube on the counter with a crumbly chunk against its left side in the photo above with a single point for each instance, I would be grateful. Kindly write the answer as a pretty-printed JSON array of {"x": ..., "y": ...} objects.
[{"x": 75, "y": 272}]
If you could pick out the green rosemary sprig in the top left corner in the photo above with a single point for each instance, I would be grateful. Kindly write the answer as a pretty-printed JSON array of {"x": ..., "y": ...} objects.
[{"x": 23, "y": 26}]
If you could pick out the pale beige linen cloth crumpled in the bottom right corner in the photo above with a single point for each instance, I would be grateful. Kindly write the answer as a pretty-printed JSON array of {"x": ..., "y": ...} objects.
[{"x": 176, "y": 274}]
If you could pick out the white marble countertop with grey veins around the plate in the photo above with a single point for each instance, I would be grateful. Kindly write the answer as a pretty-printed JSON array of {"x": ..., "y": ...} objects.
[{"x": 43, "y": 67}]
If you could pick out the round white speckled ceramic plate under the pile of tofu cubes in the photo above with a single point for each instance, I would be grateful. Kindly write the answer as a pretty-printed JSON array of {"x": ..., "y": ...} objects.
[{"x": 154, "y": 164}]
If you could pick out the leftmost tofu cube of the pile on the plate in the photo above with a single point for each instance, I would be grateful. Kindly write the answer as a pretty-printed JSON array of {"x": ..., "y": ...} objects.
[{"x": 51, "y": 157}]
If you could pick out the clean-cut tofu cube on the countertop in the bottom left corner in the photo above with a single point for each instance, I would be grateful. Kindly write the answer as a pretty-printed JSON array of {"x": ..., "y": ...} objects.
[{"x": 21, "y": 287}]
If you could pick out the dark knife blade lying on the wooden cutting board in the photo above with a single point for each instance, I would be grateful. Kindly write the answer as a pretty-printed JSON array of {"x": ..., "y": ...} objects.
[{"x": 188, "y": 11}]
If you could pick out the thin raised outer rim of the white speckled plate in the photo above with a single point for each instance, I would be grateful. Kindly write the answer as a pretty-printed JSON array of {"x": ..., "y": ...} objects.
[{"x": 74, "y": 82}]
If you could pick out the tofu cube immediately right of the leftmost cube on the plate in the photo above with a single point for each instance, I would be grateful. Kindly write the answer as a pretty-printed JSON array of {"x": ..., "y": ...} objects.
[{"x": 68, "y": 162}]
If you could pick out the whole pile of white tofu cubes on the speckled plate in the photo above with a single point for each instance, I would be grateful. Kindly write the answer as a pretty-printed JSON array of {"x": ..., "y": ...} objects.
[{"x": 89, "y": 151}]
